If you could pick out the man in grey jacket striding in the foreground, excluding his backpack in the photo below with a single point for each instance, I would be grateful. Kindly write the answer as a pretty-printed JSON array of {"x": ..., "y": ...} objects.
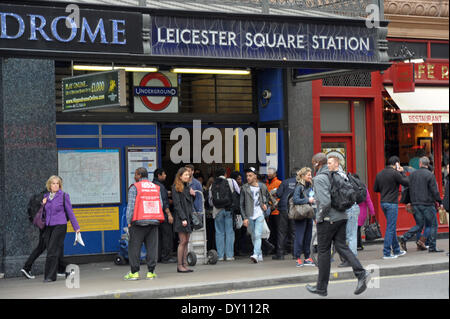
[{"x": 331, "y": 226}]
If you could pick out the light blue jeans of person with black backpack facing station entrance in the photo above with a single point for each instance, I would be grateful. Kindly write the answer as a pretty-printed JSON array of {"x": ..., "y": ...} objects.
[{"x": 224, "y": 234}]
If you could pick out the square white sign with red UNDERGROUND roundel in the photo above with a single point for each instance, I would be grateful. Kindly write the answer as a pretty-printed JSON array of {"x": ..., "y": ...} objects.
[{"x": 155, "y": 92}]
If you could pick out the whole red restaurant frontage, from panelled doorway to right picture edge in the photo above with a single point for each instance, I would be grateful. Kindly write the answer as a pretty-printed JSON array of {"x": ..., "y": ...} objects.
[{"x": 352, "y": 120}]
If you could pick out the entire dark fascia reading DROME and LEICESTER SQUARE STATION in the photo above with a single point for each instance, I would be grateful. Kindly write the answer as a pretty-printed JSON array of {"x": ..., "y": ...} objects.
[{"x": 180, "y": 36}]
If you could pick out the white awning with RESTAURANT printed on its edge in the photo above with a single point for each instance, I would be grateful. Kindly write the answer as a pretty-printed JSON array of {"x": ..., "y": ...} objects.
[{"x": 424, "y": 105}]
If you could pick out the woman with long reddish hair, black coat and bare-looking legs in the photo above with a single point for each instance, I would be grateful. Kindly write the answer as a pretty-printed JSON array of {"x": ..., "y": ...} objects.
[{"x": 183, "y": 207}]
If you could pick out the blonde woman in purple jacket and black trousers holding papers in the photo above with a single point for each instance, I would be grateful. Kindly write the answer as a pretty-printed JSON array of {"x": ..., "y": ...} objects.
[{"x": 56, "y": 216}]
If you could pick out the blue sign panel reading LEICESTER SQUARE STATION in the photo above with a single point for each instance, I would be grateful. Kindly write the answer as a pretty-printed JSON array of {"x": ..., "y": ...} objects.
[{"x": 261, "y": 40}]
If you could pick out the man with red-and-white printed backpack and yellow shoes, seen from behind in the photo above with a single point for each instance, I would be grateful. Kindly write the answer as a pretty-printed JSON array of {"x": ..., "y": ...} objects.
[{"x": 144, "y": 214}]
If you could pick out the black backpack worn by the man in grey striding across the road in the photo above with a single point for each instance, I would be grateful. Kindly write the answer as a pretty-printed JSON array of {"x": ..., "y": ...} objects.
[{"x": 343, "y": 195}]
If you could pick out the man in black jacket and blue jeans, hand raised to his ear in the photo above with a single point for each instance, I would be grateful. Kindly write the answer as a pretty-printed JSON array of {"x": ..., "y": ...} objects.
[{"x": 387, "y": 183}]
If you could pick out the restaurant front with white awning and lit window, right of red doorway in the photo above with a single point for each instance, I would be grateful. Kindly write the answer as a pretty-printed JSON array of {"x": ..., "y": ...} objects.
[{"x": 417, "y": 124}]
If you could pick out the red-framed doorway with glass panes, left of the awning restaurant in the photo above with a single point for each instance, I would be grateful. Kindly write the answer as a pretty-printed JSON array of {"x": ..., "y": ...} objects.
[{"x": 348, "y": 122}]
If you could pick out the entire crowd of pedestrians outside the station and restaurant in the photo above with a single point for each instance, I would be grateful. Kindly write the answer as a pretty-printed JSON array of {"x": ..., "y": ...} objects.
[{"x": 309, "y": 211}]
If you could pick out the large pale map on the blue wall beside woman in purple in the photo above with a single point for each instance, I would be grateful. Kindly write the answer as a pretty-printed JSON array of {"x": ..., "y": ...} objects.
[{"x": 91, "y": 176}]
